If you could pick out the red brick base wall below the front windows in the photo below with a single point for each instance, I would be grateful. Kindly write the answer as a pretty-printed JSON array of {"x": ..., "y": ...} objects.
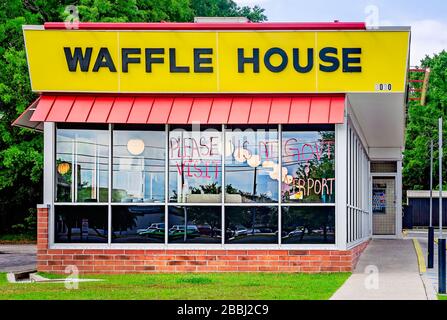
[{"x": 153, "y": 261}]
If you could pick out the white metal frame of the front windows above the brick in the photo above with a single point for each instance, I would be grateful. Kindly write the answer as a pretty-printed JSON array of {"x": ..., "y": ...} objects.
[{"x": 109, "y": 245}]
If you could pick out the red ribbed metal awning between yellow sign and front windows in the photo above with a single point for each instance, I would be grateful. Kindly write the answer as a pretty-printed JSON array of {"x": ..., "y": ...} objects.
[{"x": 263, "y": 109}]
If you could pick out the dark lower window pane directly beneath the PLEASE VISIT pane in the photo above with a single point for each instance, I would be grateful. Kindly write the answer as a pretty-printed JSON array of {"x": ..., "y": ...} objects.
[{"x": 195, "y": 224}]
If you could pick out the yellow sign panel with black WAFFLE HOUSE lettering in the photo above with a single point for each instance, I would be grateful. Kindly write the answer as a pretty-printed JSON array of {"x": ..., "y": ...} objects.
[{"x": 217, "y": 61}]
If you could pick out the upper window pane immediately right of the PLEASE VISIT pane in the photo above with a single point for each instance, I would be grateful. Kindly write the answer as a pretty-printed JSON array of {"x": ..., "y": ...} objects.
[{"x": 251, "y": 164}]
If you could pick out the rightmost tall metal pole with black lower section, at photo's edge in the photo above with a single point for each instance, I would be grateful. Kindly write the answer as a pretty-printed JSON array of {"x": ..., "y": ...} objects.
[{"x": 441, "y": 242}]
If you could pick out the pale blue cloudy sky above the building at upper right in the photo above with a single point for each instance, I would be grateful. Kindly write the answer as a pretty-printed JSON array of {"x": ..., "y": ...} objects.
[{"x": 428, "y": 19}]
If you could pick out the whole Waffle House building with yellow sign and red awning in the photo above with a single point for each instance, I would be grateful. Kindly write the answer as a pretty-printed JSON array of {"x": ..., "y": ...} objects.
[{"x": 216, "y": 147}]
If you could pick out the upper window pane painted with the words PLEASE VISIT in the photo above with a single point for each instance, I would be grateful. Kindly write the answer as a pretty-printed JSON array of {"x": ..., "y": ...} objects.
[{"x": 195, "y": 165}]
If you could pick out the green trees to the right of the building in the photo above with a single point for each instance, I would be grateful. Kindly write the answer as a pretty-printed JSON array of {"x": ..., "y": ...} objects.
[{"x": 422, "y": 126}]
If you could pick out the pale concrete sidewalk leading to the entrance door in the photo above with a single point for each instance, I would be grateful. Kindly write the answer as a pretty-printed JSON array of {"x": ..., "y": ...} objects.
[{"x": 387, "y": 270}]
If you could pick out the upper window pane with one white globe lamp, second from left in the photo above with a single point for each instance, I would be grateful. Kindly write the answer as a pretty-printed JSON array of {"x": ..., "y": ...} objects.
[{"x": 138, "y": 165}]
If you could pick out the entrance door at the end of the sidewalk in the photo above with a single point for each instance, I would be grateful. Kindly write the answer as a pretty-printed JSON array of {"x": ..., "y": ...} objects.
[{"x": 384, "y": 205}]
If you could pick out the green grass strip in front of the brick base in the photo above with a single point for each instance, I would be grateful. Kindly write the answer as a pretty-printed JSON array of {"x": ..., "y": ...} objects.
[{"x": 227, "y": 286}]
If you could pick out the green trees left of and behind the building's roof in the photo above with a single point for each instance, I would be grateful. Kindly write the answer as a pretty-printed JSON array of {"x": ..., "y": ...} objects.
[{"x": 21, "y": 160}]
